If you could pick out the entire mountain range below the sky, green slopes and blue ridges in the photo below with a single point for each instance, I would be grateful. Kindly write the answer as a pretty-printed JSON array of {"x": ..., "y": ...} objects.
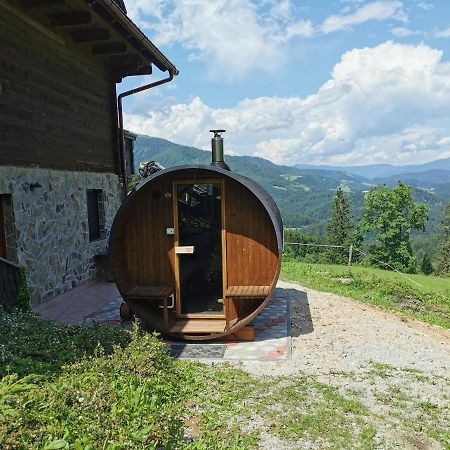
[{"x": 304, "y": 194}]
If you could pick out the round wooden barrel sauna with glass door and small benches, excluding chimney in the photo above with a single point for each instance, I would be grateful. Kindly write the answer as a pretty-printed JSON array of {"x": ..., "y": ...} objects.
[{"x": 196, "y": 251}]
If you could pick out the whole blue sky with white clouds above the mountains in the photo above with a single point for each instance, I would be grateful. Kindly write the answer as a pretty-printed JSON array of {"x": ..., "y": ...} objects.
[{"x": 341, "y": 82}]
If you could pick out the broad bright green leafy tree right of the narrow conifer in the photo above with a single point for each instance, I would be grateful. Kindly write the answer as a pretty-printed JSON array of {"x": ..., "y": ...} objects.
[{"x": 389, "y": 216}]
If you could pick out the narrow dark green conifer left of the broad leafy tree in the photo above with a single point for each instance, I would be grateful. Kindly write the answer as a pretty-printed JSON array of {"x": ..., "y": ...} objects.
[{"x": 339, "y": 228}]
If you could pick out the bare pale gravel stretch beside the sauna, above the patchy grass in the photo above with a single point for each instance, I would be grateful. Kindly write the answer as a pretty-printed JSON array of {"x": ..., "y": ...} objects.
[{"x": 335, "y": 334}]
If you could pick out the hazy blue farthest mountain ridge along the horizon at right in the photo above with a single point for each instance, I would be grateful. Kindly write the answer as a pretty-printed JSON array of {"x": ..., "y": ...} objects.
[{"x": 377, "y": 171}]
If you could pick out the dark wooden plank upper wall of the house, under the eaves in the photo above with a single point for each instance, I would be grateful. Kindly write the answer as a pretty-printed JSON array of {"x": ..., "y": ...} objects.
[{"x": 57, "y": 105}]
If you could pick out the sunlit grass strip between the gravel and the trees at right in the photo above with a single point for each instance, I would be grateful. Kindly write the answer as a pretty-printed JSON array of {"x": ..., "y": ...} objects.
[{"x": 429, "y": 302}]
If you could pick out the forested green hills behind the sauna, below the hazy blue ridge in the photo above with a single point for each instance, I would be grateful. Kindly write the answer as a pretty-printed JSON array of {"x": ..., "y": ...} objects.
[{"x": 303, "y": 195}]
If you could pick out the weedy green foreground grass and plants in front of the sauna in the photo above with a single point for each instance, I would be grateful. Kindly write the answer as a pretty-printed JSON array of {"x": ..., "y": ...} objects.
[{"x": 99, "y": 388}]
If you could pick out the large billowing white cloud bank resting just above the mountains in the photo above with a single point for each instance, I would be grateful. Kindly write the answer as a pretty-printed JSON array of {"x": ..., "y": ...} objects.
[{"x": 388, "y": 103}]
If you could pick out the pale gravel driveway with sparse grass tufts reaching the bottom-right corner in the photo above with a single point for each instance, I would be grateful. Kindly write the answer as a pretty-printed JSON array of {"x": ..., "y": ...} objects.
[{"x": 398, "y": 367}]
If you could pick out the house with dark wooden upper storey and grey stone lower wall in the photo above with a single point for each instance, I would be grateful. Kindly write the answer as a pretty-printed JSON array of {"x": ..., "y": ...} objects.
[{"x": 62, "y": 168}]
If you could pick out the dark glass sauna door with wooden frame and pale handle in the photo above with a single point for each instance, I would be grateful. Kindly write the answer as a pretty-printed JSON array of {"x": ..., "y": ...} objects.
[{"x": 199, "y": 248}]
